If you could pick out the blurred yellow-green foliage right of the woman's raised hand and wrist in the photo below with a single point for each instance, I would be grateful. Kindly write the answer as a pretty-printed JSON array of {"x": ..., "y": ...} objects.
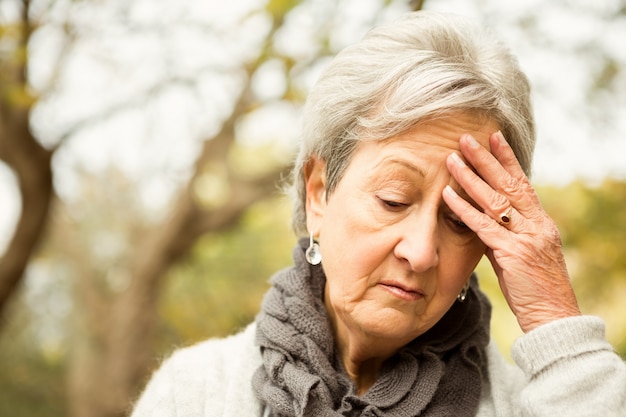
[{"x": 592, "y": 221}]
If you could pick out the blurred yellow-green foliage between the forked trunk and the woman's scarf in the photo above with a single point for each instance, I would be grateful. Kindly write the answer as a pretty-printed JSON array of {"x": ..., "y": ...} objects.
[{"x": 219, "y": 287}]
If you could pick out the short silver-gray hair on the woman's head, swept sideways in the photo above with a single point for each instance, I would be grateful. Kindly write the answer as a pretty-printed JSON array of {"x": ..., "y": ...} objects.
[{"x": 421, "y": 66}]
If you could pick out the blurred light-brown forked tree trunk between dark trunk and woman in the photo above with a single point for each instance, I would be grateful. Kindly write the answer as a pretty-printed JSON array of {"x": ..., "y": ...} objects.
[{"x": 113, "y": 347}]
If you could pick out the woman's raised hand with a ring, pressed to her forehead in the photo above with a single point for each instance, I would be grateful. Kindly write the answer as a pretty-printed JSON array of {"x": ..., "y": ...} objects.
[{"x": 523, "y": 242}]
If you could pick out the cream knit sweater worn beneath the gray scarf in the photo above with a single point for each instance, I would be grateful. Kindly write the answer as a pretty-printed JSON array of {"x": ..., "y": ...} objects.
[{"x": 565, "y": 368}]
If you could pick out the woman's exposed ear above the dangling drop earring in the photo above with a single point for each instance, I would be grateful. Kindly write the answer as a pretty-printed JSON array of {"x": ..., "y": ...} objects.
[{"x": 315, "y": 180}]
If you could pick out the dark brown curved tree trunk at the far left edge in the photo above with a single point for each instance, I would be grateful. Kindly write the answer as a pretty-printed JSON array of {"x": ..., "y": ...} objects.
[{"x": 19, "y": 149}]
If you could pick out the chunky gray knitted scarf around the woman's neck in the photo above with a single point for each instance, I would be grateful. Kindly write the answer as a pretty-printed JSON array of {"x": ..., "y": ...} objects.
[{"x": 437, "y": 374}]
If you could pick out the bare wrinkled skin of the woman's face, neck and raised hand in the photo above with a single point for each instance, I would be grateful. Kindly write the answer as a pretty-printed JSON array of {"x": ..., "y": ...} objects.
[{"x": 408, "y": 222}]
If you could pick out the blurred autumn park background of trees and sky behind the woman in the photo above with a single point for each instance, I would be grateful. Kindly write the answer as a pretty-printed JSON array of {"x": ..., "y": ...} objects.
[{"x": 143, "y": 142}]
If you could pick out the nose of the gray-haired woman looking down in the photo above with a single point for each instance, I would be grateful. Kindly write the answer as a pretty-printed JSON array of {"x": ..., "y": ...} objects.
[{"x": 417, "y": 242}]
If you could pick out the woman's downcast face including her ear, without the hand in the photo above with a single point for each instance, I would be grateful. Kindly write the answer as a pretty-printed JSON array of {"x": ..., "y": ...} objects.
[{"x": 395, "y": 256}]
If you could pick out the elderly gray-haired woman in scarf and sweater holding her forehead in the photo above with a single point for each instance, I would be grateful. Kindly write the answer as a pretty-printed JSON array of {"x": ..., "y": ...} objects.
[{"x": 416, "y": 151}]
